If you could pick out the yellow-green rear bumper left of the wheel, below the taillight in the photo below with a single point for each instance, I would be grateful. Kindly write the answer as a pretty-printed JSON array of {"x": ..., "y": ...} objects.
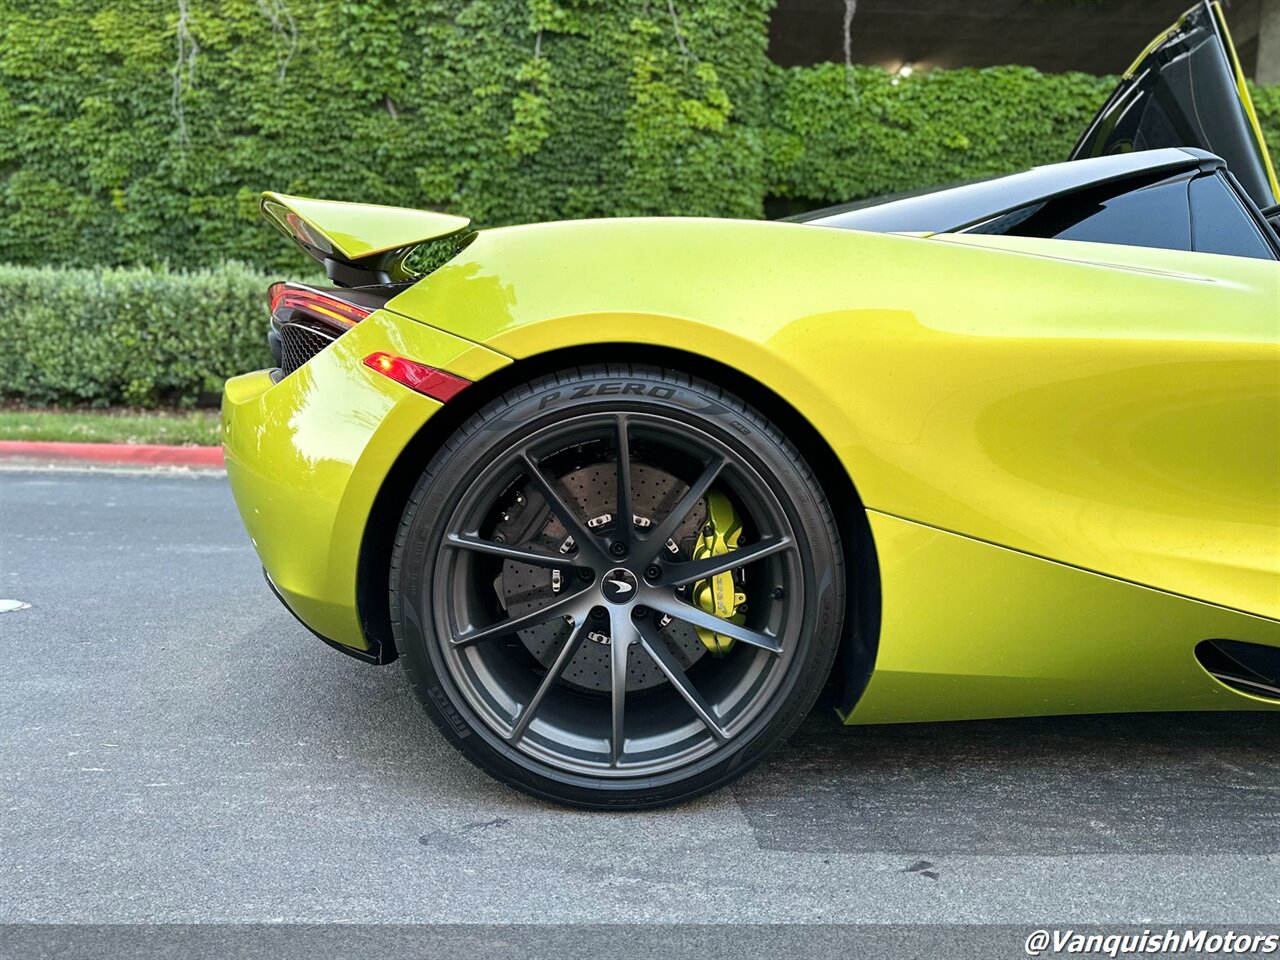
[{"x": 308, "y": 455}]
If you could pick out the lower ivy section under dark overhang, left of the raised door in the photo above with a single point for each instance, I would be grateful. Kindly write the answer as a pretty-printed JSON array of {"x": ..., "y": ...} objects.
[{"x": 840, "y": 134}]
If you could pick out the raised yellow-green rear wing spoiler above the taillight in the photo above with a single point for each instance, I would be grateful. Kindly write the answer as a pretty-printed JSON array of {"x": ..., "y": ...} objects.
[{"x": 358, "y": 244}]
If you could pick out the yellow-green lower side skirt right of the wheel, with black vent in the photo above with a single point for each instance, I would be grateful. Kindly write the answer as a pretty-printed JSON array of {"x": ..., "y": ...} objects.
[{"x": 972, "y": 630}]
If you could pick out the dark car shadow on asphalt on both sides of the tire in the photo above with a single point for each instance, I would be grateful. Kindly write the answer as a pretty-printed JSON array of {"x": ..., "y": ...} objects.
[{"x": 1139, "y": 784}]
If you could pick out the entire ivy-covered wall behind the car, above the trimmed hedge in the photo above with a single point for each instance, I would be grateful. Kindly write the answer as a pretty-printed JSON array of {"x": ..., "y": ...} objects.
[{"x": 143, "y": 131}]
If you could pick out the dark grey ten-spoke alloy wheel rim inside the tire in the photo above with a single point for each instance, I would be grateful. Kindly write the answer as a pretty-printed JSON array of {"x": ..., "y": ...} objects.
[{"x": 565, "y": 602}]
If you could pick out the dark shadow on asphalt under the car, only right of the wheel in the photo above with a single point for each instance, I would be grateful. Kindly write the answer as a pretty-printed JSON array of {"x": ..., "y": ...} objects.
[{"x": 1132, "y": 784}]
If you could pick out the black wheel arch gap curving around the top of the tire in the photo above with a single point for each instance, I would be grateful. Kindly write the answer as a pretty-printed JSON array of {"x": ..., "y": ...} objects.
[{"x": 861, "y": 637}]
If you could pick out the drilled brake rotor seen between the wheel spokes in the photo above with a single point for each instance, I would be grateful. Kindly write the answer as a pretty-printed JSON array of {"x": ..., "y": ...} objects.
[{"x": 523, "y": 588}]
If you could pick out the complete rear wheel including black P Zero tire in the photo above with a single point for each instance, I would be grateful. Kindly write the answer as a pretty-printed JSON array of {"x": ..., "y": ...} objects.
[{"x": 789, "y": 636}]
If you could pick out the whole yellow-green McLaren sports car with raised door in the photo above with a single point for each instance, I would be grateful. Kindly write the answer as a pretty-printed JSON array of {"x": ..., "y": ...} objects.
[{"x": 624, "y": 496}]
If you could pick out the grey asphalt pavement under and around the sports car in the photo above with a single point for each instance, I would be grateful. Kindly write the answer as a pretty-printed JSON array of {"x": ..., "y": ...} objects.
[{"x": 176, "y": 748}]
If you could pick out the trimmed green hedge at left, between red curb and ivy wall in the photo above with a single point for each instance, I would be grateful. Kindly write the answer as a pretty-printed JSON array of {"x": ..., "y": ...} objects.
[{"x": 129, "y": 336}]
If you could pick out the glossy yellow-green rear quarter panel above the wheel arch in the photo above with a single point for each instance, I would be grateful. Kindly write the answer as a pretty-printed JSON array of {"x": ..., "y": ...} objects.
[{"x": 1112, "y": 409}]
